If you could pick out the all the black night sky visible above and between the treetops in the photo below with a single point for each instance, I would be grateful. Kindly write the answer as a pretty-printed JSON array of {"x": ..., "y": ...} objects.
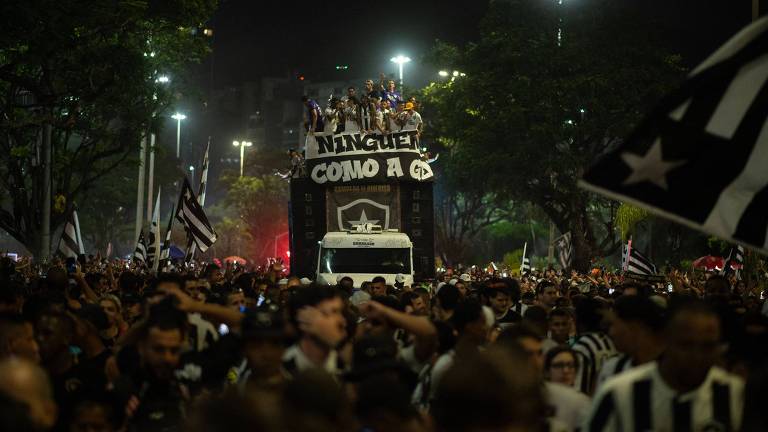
[{"x": 255, "y": 38}]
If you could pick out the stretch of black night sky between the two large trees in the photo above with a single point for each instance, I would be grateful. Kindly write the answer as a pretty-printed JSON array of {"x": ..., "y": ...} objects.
[{"x": 313, "y": 37}]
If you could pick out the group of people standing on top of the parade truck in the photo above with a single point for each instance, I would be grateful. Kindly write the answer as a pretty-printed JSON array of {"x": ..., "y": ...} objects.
[{"x": 378, "y": 108}]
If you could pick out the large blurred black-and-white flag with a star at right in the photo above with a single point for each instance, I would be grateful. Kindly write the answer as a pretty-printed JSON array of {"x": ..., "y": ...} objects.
[{"x": 701, "y": 159}]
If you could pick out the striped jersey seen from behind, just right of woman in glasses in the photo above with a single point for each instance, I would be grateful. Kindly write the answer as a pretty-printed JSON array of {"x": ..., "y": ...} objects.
[{"x": 592, "y": 349}]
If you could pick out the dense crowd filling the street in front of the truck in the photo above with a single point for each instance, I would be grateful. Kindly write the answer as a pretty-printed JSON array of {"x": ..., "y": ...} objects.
[{"x": 106, "y": 347}]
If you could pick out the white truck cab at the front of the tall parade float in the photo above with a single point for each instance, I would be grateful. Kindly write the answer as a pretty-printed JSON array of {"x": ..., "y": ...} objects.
[{"x": 363, "y": 253}]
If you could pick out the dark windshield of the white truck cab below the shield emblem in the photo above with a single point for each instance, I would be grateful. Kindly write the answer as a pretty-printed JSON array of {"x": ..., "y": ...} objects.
[{"x": 361, "y": 260}]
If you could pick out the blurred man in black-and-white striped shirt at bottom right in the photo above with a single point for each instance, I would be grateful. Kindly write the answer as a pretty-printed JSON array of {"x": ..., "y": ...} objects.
[{"x": 683, "y": 390}]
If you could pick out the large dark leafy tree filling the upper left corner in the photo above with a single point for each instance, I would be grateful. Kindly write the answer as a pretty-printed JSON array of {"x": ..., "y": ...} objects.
[{"x": 88, "y": 70}]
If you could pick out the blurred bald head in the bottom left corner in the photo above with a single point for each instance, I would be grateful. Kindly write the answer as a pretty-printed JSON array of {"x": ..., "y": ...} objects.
[{"x": 26, "y": 382}]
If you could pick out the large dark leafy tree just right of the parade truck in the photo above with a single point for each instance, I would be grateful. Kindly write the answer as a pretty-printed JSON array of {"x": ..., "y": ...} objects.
[{"x": 546, "y": 90}]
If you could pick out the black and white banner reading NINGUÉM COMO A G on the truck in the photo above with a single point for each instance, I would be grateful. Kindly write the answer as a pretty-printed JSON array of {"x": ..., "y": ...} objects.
[{"x": 352, "y": 157}]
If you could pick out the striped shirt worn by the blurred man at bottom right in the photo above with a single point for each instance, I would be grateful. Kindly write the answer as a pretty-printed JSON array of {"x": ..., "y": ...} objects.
[{"x": 640, "y": 400}]
